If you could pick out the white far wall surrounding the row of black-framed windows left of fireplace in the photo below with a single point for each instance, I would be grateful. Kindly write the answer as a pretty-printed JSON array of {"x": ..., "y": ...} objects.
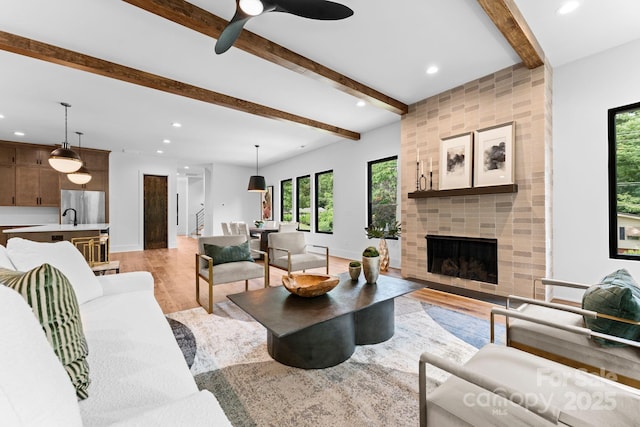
[{"x": 348, "y": 160}]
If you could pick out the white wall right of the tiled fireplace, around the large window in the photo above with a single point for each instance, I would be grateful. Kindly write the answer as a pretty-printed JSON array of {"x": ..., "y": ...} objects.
[{"x": 583, "y": 92}]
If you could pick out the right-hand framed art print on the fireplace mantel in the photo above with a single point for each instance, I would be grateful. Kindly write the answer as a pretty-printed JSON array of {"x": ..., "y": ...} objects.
[{"x": 494, "y": 155}]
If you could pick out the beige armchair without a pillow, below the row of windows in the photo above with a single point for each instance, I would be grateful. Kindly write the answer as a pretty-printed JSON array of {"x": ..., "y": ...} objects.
[{"x": 288, "y": 251}]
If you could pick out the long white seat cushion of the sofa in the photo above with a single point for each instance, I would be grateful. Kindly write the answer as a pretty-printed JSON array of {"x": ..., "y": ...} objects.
[{"x": 136, "y": 364}]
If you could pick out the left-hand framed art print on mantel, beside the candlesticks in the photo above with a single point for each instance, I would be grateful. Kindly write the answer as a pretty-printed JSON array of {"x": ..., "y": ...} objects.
[{"x": 456, "y": 159}]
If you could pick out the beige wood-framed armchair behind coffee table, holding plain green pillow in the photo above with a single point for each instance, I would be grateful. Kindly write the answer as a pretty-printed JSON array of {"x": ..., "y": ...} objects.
[{"x": 217, "y": 274}]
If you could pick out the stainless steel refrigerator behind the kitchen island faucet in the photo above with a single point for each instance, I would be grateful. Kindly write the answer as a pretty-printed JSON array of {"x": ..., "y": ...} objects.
[{"x": 89, "y": 206}]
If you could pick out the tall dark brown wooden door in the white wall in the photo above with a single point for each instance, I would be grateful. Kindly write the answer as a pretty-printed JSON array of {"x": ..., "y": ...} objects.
[{"x": 155, "y": 212}]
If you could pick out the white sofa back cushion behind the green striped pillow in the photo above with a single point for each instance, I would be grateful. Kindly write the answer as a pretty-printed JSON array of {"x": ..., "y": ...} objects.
[{"x": 26, "y": 255}]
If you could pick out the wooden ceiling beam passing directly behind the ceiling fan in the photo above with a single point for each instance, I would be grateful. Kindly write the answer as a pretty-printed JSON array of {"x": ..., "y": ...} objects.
[{"x": 202, "y": 21}]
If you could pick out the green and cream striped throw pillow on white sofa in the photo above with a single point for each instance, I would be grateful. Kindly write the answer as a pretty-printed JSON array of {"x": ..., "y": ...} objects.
[{"x": 54, "y": 303}]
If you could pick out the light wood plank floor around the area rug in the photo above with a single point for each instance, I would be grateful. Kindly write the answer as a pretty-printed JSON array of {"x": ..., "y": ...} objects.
[{"x": 174, "y": 274}]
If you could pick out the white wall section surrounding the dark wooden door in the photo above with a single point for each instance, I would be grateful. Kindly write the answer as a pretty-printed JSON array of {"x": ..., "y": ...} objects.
[{"x": 126, "y": 198}]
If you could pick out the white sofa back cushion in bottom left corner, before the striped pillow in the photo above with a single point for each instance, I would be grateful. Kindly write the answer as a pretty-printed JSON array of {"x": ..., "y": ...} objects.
[{"x": 35, "y": 390}]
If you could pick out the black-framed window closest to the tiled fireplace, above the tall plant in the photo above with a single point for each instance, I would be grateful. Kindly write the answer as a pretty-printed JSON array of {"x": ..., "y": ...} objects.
[{"x": 383, "y": 192}]
